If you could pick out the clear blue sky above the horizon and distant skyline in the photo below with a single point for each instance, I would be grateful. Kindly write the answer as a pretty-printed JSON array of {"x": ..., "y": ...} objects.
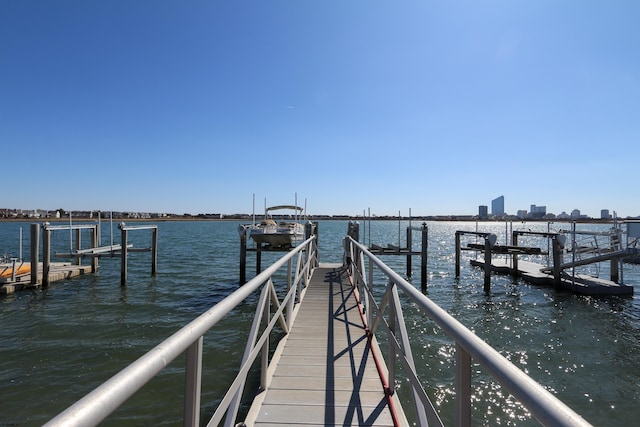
[{"x": 438, "y": 106}]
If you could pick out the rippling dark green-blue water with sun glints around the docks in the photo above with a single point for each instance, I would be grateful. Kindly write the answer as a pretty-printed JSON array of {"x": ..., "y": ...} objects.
[{"x": 58, "y": 344}]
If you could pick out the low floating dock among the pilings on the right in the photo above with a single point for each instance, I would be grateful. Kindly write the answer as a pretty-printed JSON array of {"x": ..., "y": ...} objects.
[{"x": 580, "y": 284}]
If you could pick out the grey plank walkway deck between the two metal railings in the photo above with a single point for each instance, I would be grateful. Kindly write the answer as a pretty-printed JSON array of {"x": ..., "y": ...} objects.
[{"x": 324, "y": 372}]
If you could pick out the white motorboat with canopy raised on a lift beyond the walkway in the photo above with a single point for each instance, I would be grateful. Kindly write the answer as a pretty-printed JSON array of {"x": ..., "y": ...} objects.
[{"x": 273, "y": 234}]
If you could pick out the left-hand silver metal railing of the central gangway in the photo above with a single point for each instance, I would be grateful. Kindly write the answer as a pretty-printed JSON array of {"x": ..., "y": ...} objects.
[{"x": 106, "y": 398}]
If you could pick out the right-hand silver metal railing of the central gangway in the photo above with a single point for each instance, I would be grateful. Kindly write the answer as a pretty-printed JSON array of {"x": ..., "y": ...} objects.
[{"x": 542, "y": 404}]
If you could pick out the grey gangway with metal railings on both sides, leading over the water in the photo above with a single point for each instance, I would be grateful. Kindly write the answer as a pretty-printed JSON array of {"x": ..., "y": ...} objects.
[{"x": 339, "y": 377}]
